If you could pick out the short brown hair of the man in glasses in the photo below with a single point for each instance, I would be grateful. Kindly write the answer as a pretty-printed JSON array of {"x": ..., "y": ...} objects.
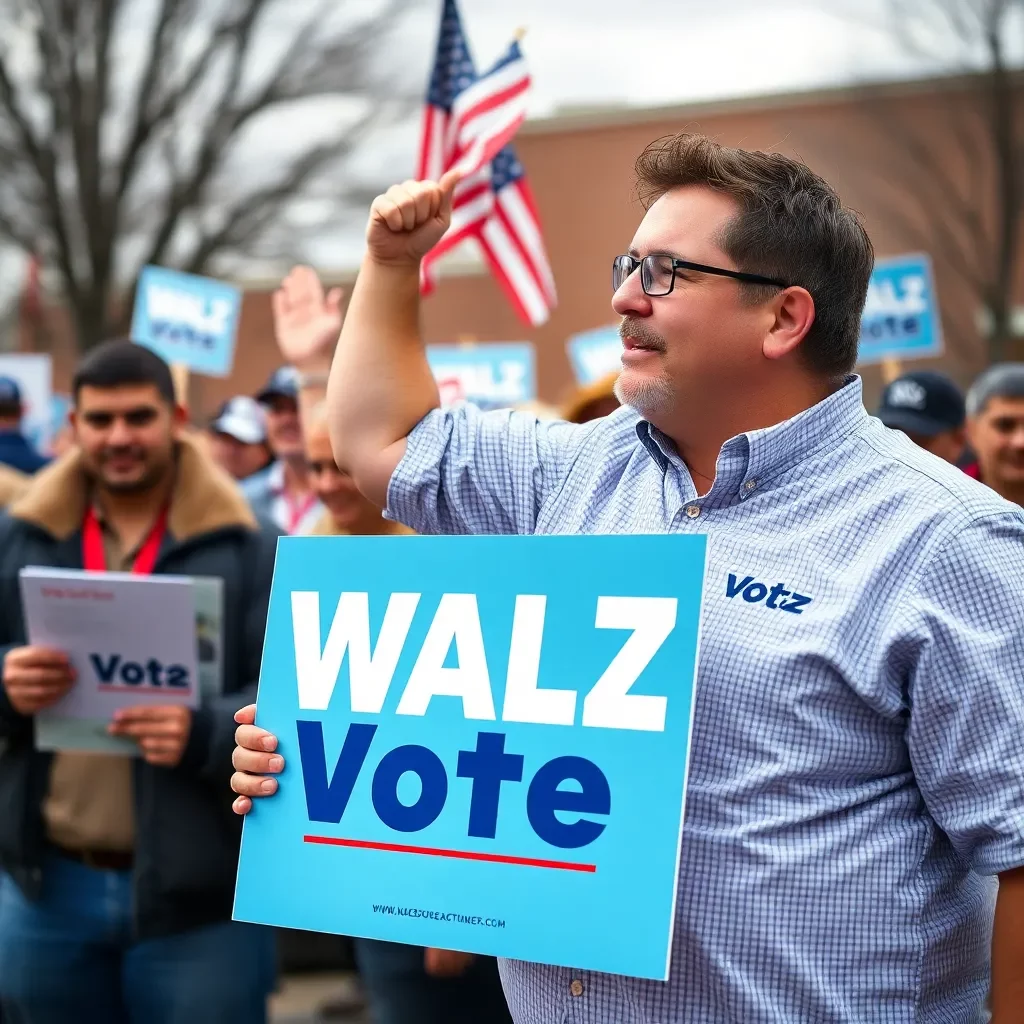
[{"x": 792, "y": 227}]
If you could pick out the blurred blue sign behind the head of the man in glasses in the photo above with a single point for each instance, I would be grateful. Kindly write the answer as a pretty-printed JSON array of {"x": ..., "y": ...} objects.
[{"x": 902, "y": 315}]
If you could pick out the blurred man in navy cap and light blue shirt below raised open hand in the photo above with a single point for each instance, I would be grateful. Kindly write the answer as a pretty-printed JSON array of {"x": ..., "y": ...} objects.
[{"x": 282, "y": 493}]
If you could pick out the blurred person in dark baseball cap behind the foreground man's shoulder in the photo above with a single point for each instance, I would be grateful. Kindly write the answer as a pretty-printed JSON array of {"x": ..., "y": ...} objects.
[{"x": 930, "y": 409}]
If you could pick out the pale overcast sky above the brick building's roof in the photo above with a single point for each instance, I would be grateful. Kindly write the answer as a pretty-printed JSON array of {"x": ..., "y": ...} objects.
[{"x": 645, "y": 53}]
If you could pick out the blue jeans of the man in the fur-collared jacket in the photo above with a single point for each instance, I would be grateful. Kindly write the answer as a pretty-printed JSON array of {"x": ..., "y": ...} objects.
[{"x": 70, "y": 959}]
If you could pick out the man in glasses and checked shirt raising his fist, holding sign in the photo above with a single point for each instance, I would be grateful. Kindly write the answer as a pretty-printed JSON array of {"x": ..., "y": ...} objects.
[{"x": 857, "y": 773}]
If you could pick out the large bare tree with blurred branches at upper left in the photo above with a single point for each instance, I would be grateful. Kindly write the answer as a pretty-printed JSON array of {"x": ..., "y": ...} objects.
[{"x": 113, "y": 163}]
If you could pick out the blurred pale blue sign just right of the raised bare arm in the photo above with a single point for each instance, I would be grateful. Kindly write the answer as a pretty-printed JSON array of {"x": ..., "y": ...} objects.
[{"x": 489, "y": 376}]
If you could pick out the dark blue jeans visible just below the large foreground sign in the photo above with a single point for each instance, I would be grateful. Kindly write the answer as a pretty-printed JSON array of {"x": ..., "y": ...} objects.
[{"x": 401, "y": 992}]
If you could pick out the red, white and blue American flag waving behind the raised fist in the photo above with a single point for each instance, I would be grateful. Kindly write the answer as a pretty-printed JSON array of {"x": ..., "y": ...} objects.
[{"x": 468, "y": 123}]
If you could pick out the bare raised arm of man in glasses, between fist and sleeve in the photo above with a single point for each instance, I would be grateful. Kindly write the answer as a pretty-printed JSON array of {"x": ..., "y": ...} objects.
[{"x": 381, "y": 385}]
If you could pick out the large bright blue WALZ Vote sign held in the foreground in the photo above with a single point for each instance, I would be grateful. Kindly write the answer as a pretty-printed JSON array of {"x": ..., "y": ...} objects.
[{"x": 486, "y": 744}]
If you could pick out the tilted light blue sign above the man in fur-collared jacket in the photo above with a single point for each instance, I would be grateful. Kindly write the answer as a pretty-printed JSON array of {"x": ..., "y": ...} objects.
[{"x": 188, "y": 320}]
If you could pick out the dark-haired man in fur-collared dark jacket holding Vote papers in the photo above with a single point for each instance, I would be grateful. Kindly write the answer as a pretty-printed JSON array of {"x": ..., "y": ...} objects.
[{"x": 117, "y": 871}]
